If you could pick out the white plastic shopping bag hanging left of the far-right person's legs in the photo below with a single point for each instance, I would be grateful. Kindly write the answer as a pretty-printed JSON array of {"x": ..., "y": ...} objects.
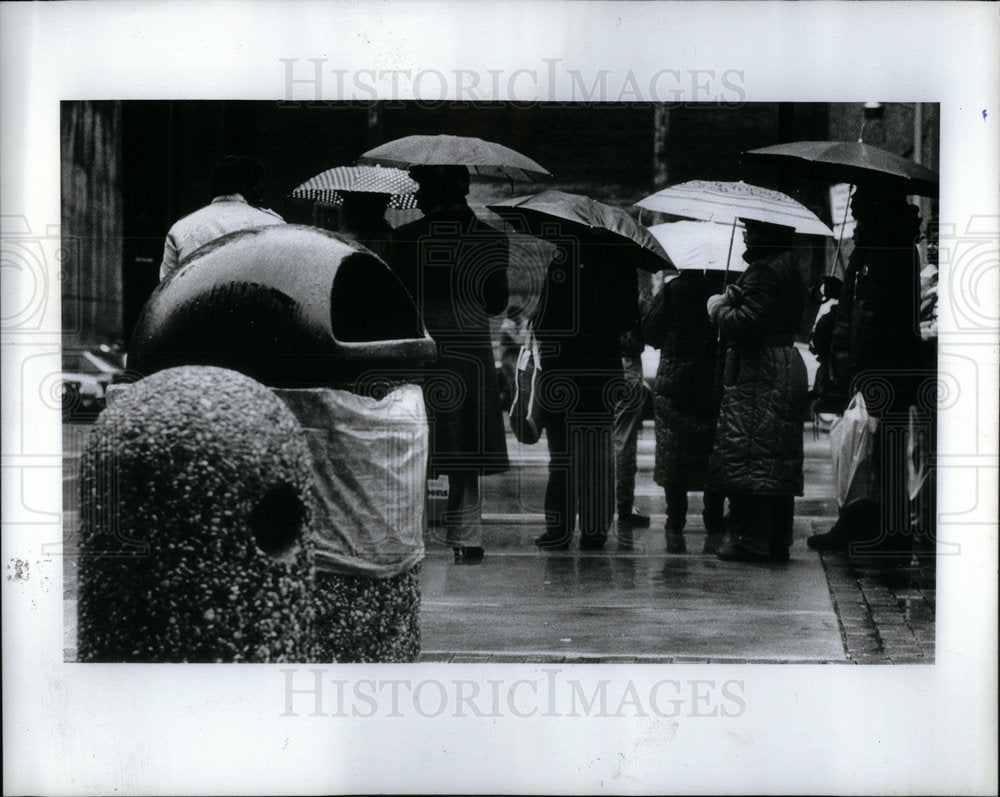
[{"x": 852, "y": 444}]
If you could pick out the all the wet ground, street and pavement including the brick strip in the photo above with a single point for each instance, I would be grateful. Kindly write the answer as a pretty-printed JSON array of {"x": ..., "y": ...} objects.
[{"x": 644, "y": 604}]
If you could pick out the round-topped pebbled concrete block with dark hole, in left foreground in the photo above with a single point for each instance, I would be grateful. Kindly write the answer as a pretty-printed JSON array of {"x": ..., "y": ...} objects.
[{"x": 195, "y": 507}]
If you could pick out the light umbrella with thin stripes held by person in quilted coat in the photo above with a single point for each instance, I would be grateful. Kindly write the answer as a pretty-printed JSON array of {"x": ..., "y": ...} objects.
[{"x": 709, "y": 200}]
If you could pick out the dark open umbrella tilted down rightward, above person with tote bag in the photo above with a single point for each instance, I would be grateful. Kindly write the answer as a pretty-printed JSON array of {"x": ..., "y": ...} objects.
[{"x": 551, "y": 215}]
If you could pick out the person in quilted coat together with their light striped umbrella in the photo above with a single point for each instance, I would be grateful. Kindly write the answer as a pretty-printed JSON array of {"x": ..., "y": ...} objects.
[{"x": 757, "y": 453}]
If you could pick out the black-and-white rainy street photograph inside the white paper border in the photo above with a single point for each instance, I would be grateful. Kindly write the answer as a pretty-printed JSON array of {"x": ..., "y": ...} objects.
[{"x": 532, "y": 418}]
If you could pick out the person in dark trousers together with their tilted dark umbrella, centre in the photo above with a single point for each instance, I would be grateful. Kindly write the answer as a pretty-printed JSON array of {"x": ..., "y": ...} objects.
[{"x": 588, "y": 300}]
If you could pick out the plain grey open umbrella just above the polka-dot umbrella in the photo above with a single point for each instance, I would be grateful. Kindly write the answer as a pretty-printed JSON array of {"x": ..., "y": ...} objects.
[{"x": 481, "y": 157}]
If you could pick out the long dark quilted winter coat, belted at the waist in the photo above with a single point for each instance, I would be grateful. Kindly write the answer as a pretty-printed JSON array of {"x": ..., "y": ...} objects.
[{"x": 758, "y": 444}]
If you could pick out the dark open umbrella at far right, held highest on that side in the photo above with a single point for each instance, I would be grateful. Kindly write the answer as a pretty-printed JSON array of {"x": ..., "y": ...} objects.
[{"x": 850, "y": 162}]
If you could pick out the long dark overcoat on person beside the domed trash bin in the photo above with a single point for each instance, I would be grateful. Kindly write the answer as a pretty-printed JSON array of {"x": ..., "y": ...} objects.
[{"x": 455, "y": 268}]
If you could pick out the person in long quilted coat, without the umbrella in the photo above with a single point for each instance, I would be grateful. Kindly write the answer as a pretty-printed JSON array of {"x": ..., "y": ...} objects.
[{"x": 757, "y": 454}]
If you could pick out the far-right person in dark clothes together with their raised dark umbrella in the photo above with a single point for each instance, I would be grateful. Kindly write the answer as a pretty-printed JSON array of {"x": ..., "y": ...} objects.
[{"x": 875, "y": 347}]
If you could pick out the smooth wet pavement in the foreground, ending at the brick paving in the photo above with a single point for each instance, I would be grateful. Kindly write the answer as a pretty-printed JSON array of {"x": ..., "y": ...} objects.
[{"x": 625, "y": 606}]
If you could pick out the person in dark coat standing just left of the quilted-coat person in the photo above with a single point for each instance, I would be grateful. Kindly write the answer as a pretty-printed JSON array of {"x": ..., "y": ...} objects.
[{"x": 685, "y": 402}]
